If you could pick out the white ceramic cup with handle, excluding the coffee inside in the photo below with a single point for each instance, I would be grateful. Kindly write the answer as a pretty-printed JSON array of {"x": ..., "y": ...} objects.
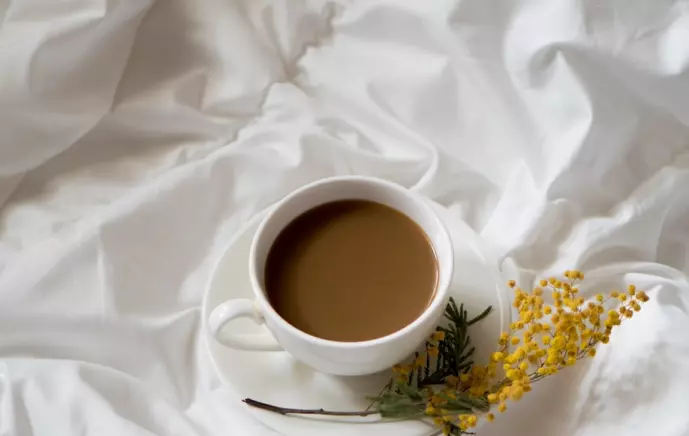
[{"x": 332, "y": 357}]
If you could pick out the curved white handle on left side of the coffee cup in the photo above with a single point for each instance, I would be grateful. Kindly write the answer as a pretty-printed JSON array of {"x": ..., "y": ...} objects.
[{"x": 240, "y": 308}]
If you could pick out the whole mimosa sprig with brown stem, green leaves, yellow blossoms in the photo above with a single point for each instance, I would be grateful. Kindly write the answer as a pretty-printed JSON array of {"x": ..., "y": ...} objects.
[{"x": 443, "y": 384}]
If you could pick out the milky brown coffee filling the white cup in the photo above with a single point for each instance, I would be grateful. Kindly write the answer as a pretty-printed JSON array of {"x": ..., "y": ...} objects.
[{"x": 351, "y": 270}]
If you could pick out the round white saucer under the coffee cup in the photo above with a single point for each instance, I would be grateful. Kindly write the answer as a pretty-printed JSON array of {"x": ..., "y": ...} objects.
[{"x": 276, "y": 378}]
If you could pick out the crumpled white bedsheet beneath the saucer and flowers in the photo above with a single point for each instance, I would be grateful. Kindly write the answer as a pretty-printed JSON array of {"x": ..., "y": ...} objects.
[{"x": 136, "y": 137}]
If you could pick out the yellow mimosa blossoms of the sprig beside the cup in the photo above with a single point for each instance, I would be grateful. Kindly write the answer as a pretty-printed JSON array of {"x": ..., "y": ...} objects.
[{"x": 545, "y": 339}]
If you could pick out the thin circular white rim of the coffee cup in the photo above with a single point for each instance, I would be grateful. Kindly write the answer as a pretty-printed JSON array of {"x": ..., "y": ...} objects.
[{"x": 440, "y": 292}]
